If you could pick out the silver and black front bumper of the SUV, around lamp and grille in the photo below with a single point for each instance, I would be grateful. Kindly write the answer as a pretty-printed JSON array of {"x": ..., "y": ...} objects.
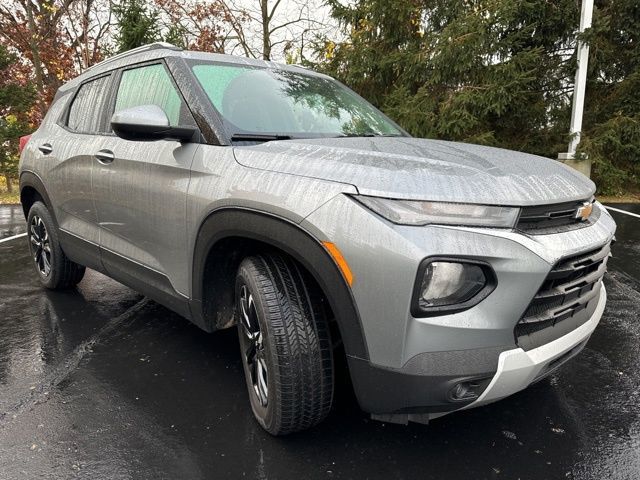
[{"x": 412, "y": 364}]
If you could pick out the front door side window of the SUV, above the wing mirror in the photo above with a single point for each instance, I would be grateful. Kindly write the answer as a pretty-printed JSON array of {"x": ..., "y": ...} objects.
[{"x": 151, "y": 85}]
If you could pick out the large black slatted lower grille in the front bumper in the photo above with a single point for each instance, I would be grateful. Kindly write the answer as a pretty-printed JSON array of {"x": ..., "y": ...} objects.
[{"x": 566, "y": 299}]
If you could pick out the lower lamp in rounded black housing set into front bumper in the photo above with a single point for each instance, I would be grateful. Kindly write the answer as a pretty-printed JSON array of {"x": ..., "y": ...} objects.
[{"x": 448, "y": 285}]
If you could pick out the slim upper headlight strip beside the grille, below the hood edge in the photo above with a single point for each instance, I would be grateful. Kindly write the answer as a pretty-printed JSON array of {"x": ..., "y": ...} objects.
[{"x": 412, "y": 212}]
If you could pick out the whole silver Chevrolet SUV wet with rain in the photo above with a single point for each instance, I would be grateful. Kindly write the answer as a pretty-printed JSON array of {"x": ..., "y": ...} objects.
[{"x": 237, "y": 191}]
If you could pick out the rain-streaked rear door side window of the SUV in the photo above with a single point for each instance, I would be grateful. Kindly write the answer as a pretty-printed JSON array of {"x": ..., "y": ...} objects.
[{"x": 85, "y": 113}]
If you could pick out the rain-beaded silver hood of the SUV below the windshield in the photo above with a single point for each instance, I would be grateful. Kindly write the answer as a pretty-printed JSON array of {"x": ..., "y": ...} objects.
[{"x": 419, "y": 169}]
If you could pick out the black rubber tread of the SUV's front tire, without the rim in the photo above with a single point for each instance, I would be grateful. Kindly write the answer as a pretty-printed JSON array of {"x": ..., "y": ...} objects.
[{"x": 299, "y": 331}]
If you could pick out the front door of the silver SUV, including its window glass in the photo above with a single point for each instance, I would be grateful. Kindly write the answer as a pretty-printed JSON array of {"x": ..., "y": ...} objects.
[{"x": 141, "y": 189}]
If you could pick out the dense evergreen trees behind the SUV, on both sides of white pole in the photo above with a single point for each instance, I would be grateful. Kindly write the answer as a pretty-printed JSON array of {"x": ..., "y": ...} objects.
[{"x": 498, "y": 73}]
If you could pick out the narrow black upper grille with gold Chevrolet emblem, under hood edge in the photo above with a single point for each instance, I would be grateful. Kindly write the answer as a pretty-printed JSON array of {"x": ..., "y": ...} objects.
[{"x": 555, "y": 218}]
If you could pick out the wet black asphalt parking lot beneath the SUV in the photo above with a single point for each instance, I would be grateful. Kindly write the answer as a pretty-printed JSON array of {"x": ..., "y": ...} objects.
[{"x": 100, "y": 382}]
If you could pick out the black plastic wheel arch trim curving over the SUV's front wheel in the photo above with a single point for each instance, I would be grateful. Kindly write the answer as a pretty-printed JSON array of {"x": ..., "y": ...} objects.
[{"x": 292, "y": 239}]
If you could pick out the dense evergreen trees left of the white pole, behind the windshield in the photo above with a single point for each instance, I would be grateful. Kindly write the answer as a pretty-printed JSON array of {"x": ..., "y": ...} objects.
[{"x": 482, "y": 71}]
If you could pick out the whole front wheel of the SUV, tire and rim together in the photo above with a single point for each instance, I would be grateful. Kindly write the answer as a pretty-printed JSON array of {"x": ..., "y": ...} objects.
[{"x": 285, "y": 344}]
